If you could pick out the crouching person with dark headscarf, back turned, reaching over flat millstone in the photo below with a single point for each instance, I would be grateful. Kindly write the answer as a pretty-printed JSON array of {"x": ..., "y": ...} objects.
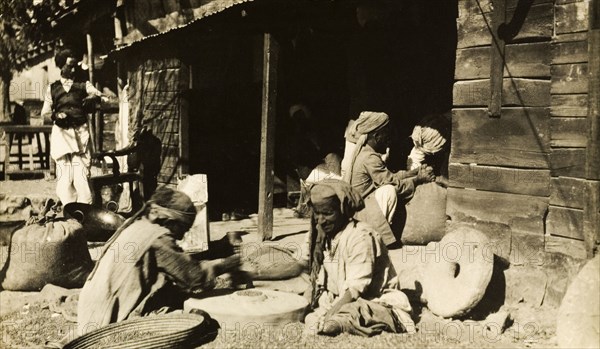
[{"x": 142, "y": 270}]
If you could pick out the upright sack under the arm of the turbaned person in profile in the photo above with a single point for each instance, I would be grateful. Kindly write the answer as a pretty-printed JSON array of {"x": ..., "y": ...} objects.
[{"x": 425, "y": 215}]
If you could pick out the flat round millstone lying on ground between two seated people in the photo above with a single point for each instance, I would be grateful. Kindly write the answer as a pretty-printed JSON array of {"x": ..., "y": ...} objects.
[{"x": 252, "y": 306}]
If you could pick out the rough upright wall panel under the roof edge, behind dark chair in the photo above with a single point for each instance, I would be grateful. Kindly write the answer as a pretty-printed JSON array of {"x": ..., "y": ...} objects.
[{"x": 157, "y": 103}]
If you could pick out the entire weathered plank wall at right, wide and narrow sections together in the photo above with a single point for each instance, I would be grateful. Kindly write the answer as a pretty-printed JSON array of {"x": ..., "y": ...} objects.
[{"x": 524, "y": 168}]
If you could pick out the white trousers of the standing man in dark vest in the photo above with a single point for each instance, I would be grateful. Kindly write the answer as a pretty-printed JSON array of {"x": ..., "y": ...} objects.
[{"x": 72, "y": 175}]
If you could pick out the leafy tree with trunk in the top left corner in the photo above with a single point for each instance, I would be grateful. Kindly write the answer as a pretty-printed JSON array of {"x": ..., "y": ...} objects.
[{"x": 23, "y": 25}]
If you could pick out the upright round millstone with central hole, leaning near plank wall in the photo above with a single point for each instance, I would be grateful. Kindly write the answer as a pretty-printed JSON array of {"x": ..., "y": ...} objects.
[{"x": 458, "y": 273}]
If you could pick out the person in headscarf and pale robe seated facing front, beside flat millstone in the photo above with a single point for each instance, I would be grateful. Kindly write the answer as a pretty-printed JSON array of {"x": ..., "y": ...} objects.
[{"x": 351, "y": 273}]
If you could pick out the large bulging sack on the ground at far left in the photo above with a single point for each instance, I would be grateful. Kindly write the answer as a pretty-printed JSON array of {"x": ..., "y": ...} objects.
[{"x": 55, "y": 252}]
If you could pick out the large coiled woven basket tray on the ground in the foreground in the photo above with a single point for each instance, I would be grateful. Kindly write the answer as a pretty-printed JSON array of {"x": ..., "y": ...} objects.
[{"x": 159, "y": 331}]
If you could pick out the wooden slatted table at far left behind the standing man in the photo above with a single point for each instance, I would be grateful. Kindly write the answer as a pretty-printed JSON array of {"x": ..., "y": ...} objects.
[{"x": 18, "y": 133}]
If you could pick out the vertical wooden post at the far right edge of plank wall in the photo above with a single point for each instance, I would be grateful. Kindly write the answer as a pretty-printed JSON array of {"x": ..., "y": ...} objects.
[{"x": 591, "y": 211}]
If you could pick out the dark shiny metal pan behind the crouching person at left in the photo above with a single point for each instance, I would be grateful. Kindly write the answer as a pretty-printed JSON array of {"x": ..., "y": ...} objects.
[{"x": 98, "y": 223}]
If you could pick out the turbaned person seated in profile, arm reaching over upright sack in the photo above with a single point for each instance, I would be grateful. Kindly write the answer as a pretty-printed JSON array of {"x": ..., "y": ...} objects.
[{"x": 365, "y": 169}]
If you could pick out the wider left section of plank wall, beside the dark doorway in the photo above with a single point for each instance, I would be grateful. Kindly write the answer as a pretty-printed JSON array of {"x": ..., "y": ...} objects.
[{"x": 499, "y": 165}]
